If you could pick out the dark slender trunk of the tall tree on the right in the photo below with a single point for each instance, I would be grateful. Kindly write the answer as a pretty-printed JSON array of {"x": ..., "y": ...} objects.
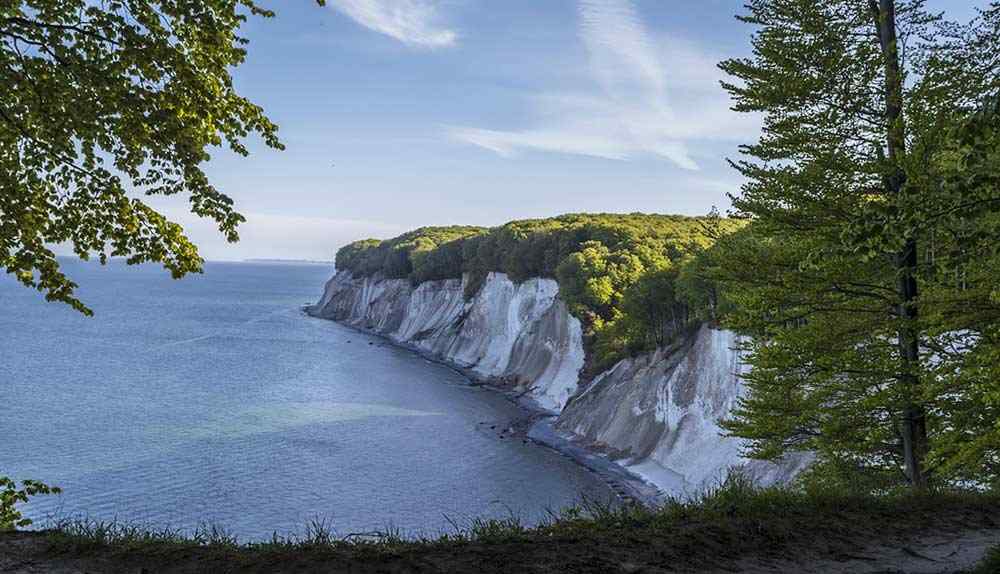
[{"x": 913, "y": 427}]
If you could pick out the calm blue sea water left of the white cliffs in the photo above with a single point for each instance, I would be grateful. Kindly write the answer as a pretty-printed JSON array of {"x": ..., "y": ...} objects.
[{"x": 214, "y": 400}]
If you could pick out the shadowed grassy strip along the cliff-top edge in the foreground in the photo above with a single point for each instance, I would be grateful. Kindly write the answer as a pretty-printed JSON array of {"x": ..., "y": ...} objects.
[{"x": 719, "y": 531}]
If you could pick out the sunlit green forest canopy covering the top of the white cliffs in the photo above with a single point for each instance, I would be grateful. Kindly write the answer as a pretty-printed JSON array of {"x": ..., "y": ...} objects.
[{"x": 616, "y": 272}]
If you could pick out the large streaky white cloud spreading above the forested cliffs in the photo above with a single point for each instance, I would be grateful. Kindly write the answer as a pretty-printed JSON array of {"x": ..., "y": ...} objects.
[{"x": 627, "y": 112}]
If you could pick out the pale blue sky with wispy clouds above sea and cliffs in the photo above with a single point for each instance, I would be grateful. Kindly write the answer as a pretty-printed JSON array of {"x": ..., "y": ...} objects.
[{"x": 398, "y": 114}]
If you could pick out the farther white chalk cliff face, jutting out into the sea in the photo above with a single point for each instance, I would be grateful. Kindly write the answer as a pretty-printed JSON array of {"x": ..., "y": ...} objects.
[{"x": 517, "y": 333}]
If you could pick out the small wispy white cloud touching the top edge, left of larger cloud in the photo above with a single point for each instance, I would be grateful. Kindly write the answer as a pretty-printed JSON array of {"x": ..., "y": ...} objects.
[{"x": 413, "y": 22}]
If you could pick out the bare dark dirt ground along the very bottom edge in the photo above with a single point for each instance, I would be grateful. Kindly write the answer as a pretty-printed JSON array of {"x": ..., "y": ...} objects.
[{"x": 953, "y": 551}]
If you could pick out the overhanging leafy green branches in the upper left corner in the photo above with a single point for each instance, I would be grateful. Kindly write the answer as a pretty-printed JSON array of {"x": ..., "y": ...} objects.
[{"x": 103, "y": 102}]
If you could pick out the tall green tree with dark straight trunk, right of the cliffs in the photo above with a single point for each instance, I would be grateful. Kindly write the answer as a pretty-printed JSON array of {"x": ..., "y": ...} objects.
[{"x": 843, "y": 191}]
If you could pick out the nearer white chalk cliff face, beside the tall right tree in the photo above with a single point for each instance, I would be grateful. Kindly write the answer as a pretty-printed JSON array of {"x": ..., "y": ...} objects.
[{"x": 660, "y": 413}]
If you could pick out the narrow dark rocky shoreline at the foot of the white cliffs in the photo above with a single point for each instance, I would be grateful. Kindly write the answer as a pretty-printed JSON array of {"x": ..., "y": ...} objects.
[{"x": 623, "y": 483}]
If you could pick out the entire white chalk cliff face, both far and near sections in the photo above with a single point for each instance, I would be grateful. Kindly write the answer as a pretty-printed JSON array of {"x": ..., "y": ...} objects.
[{"x": 657, "y": 413}]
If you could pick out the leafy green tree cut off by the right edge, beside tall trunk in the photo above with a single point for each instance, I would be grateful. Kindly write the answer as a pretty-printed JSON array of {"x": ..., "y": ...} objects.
[{"x": 965, "y": 325}]
